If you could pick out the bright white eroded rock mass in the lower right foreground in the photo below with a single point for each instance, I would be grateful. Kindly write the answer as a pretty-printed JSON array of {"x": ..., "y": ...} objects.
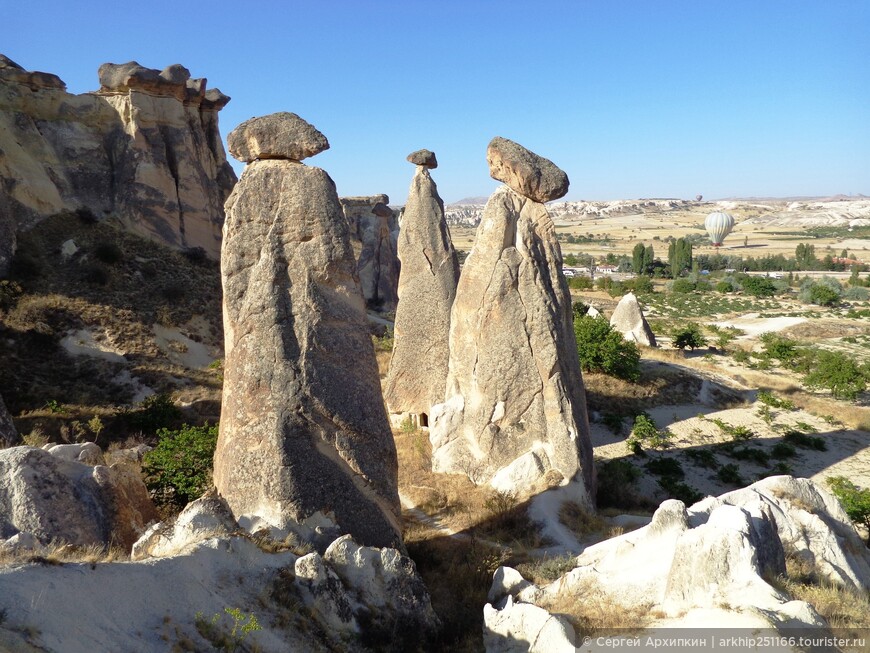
[{"x": 708, "y": 564}]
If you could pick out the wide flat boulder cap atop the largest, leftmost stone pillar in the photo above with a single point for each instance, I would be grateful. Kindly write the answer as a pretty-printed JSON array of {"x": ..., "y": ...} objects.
[{"x": 280, "y": 135}]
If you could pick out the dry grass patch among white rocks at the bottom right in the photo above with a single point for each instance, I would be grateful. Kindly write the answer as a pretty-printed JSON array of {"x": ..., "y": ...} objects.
[{"x": 592, "y": 611}]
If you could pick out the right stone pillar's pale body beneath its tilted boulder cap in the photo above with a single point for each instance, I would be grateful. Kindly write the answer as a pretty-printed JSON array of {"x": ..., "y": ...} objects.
[{"x": 514, "y": 396}]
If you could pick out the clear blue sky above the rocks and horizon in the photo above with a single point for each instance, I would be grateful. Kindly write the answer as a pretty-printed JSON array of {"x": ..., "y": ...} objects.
[{"x": 642, "y": 98}]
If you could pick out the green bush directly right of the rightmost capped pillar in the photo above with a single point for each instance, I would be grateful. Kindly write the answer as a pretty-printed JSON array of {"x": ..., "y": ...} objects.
[{"x": 603, "y": 349}]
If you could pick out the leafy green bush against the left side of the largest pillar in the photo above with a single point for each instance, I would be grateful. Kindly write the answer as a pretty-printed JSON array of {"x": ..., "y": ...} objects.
[{"x": 178, "y": 470}]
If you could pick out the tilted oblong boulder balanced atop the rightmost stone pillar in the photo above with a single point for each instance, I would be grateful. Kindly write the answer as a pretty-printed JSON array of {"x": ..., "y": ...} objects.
[{"x": 524, "y": 171}]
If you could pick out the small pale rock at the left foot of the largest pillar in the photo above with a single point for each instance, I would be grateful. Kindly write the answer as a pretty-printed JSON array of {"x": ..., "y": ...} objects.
[{"x": 207, "y": 517}]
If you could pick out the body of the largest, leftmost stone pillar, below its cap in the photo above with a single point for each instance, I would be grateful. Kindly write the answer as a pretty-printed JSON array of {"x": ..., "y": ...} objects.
[{"x": 304, "y": 441}]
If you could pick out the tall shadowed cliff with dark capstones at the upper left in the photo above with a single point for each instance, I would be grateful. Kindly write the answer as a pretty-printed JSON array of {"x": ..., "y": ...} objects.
[{"x": 144, "y": 149}]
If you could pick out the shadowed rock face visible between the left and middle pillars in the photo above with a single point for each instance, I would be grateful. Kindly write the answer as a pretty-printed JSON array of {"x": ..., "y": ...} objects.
[{"x": 374, "y": 232}]
